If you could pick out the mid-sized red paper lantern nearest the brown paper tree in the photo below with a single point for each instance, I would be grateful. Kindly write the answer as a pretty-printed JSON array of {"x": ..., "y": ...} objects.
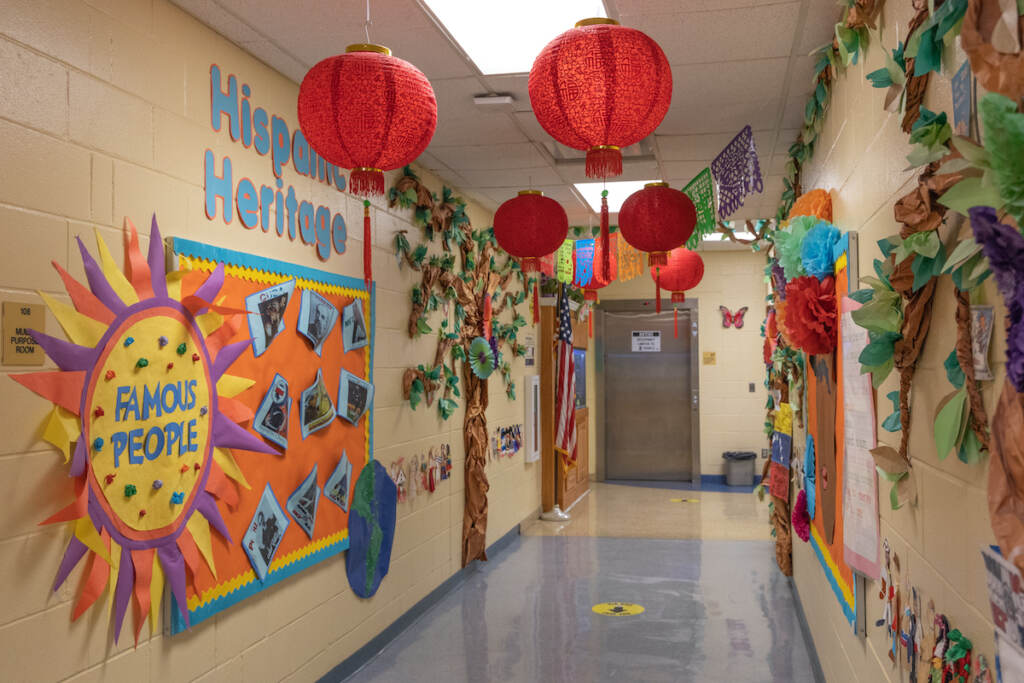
[{"x": 530, "y": 227}]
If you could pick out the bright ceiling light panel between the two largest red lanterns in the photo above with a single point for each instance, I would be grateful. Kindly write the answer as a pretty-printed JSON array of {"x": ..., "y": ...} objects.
[{"x": 506, "y": 37}]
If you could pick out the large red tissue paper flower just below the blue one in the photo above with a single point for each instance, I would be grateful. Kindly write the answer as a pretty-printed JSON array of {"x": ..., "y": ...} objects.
[{"x": 810, "y": 314}]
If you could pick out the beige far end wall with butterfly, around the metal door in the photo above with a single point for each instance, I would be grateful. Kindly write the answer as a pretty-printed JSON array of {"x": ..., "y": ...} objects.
[{"x": 732, "y": 416}]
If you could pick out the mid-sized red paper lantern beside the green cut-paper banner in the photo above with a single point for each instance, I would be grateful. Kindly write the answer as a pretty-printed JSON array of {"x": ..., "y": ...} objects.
[{"x": 658, "y": 220}]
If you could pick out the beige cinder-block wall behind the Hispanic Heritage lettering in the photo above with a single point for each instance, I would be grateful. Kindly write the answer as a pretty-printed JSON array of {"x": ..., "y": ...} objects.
[{"x": 105, "y": 113}]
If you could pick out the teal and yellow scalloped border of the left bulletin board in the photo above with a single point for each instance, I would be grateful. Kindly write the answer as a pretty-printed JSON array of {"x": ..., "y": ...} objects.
[{"x": 196, "y": 255}]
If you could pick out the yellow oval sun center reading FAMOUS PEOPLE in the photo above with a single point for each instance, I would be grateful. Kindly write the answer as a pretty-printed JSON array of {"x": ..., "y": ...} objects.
[{"x": 149, "y": 418}]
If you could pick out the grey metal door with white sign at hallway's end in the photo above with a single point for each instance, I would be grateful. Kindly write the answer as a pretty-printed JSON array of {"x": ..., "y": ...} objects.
[{"x": 651, "y": 398}]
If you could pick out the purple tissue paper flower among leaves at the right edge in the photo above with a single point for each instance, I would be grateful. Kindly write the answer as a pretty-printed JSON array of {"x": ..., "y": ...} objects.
[{"x": 1004, "y": 247}]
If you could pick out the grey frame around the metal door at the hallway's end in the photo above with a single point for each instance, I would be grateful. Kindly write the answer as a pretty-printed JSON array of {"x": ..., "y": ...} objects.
[{"x": 601, "y": 330}]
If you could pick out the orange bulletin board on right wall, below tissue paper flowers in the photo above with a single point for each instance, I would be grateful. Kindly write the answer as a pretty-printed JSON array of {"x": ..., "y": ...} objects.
[{"x": 825, "y": 394}]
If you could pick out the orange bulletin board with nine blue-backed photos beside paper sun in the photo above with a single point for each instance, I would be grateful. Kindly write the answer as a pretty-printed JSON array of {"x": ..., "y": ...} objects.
[{"x": 291, "y": 513}]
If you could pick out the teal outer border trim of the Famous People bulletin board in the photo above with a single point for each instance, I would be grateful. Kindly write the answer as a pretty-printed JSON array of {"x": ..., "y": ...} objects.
[{"x": 221, "y": 254}]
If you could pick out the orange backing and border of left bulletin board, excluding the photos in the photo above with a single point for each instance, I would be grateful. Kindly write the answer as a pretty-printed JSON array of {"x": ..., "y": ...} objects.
[{"x": 292, "y": 356}]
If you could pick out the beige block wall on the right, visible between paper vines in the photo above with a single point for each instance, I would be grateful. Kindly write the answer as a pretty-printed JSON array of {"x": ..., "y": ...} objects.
[{"x": 861, "y": 159}]
